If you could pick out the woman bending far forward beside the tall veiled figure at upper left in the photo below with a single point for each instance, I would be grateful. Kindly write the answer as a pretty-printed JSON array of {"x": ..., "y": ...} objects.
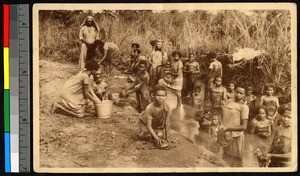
[{"x": 110, "y": 55}]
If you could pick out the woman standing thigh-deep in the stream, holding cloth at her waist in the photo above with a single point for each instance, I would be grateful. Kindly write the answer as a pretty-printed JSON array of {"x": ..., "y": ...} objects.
[{"x": 234, "y": 123}]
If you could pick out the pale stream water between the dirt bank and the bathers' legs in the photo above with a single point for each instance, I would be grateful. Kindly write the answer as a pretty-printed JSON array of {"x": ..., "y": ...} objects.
[{"x": 182, "y": 121}]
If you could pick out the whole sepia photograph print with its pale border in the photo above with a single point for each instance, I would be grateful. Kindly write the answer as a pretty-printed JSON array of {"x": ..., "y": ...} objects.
[{"x": 177, "y": 87}]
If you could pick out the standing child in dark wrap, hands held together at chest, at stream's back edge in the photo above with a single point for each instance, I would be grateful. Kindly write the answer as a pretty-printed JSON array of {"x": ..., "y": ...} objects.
[{"x": 191, "y": 69}]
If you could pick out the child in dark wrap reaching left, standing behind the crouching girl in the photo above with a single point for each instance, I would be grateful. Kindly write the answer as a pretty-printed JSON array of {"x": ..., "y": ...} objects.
[{"x": 141, "y": 87}]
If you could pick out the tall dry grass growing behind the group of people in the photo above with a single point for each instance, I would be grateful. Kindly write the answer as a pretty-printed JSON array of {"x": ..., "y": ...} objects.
[{"x": 221, "y": 32}]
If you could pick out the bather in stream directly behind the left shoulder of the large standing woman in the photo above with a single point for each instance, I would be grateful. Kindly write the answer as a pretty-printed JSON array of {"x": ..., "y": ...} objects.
[{"x": 217, "y": 93}]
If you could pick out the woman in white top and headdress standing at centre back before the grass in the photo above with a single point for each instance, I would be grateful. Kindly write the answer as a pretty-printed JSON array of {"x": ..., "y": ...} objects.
[{"x": 157, "y": 57}]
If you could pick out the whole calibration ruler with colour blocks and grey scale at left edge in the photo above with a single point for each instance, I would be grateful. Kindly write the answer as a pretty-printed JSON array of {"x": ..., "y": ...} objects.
[{"x": 16, "y": 88}]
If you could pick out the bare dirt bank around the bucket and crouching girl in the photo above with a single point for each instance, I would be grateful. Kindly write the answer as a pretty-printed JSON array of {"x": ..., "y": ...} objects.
[{"x": 100, "y": 143}]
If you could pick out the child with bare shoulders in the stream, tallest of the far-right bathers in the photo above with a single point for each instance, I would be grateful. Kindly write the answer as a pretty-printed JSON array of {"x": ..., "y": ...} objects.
[{"x": 270, "y": 102}]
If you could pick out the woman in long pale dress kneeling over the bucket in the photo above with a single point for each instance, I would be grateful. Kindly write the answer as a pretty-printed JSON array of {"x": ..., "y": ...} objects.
[{"x": 77, "y": 92}]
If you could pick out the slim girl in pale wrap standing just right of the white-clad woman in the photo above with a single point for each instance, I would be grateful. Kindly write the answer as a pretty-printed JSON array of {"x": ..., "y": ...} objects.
[{"x": 176, "y": 69}]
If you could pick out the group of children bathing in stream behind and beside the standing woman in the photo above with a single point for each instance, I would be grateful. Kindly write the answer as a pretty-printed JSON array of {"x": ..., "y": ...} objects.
[{"x": 263, "y": 112}]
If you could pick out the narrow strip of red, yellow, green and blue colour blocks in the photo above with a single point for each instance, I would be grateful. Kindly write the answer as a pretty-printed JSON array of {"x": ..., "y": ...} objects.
[{"x": 6, "y": 16}]
